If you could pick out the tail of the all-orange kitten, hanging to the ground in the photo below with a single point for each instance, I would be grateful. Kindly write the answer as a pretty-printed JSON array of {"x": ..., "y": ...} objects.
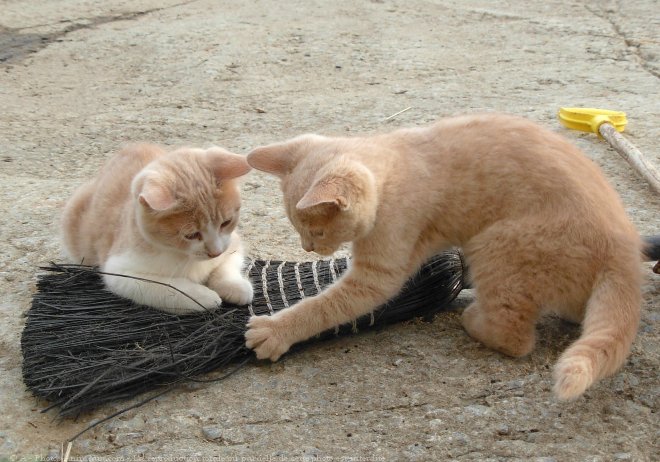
[{"x": 608, "y": 330}]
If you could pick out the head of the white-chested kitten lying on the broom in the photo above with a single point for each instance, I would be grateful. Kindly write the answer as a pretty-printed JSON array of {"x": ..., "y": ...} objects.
[{"x": 188, "y": 200}]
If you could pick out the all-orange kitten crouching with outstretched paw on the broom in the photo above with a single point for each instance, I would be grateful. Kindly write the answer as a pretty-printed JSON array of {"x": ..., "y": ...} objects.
[{"x": 542, "y": 231}]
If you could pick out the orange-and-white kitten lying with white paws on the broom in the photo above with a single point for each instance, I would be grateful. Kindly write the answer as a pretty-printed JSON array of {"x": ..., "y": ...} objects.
[{"x": 164, "y": 216}]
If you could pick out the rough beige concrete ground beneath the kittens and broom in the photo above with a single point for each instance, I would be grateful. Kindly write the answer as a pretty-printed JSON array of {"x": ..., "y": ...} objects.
[{"x": 79, "y": 78}]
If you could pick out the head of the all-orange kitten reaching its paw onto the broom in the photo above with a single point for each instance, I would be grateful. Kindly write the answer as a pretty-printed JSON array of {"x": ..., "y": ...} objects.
[{"x": 329, "y": 198}]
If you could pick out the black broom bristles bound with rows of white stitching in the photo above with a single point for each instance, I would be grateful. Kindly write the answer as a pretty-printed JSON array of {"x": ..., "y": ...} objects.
[{"x": 84, "y": 346}]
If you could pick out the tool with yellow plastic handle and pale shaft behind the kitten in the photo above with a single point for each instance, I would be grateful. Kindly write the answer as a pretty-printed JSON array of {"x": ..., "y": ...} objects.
[{"x": 608, "y": 124}]
